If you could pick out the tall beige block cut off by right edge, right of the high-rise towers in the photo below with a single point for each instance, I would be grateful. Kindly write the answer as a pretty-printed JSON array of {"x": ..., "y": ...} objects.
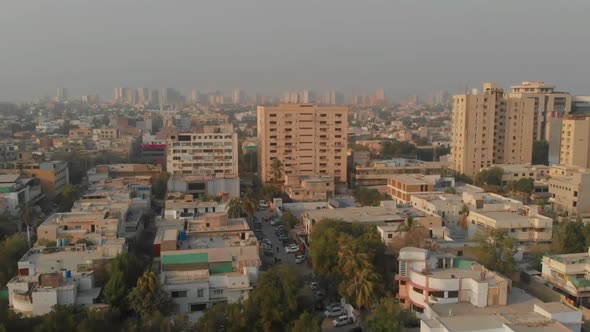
[{"x": 575, "y": 141}]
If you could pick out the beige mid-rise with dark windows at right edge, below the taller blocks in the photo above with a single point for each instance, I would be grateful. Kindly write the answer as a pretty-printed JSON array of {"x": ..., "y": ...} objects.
[{"x": 570, "y": 190}]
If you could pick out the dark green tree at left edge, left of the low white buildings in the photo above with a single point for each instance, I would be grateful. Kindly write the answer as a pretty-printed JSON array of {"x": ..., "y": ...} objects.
[{"x": 12, "y": 250}]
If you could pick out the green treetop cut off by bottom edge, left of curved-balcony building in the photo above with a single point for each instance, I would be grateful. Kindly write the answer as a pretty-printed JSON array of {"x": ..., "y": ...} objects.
[{"x": 389, "y": 316}]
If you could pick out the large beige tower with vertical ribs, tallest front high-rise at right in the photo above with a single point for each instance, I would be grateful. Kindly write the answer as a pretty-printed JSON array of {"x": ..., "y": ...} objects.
[{"x": 492, "y": 127}]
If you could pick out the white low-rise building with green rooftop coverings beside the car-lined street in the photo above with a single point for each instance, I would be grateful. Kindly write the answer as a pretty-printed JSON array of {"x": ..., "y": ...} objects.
[{"x": 213, "y": 260}]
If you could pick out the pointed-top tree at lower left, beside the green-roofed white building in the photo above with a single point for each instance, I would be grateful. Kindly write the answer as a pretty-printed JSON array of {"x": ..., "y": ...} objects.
[{"x": 147, "y": 297}]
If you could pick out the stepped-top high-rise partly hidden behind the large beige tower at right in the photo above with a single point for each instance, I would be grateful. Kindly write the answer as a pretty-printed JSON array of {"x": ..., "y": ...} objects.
[{"x": 547, "y": 101}]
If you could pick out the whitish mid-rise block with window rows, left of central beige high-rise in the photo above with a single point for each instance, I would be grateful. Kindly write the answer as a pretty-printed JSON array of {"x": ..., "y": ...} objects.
[{"x": 212, "y": 153}]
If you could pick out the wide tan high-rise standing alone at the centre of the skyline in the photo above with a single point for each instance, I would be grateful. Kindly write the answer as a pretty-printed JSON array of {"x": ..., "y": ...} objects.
[{"x": 308, "y": 140}]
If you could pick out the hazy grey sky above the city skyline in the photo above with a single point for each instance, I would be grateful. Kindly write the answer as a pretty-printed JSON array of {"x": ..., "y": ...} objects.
[{"x": 407, "y": 47}]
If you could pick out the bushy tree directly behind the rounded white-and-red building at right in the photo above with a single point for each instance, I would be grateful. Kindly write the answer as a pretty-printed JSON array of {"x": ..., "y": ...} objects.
[{"x": 496, "y": 250}]
